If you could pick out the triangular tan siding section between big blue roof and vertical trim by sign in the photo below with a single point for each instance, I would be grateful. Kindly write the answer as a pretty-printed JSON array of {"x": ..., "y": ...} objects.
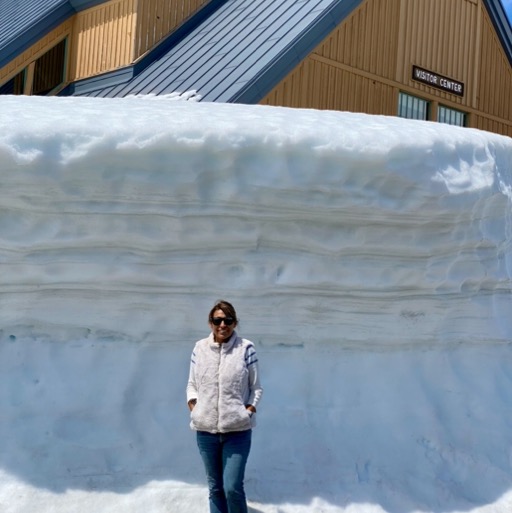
[{"x": 353, "y": 69}]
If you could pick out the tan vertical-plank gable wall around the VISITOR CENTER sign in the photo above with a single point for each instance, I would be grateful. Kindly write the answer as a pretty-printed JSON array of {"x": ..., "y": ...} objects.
[{"x": 363, "y": 64}]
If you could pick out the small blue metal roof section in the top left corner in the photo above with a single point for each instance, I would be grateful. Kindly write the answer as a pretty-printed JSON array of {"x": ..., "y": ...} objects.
[{"x": 24, "y": 22}]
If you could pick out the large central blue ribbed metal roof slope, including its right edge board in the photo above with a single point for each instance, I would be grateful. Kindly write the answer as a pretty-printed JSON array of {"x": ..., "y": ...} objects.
[{"x": 236, "y": 54}]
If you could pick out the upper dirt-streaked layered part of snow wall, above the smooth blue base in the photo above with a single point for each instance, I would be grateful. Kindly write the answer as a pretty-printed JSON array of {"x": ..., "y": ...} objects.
[{"x": 328, "y": 224}]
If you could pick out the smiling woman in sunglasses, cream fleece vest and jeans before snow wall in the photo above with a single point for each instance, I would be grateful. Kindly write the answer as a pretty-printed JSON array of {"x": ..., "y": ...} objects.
[{"x": 223, "y": 391}]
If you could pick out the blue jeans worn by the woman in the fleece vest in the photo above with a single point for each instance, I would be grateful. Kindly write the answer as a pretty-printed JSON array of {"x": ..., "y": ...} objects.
[{"x": 225, "y": 456}]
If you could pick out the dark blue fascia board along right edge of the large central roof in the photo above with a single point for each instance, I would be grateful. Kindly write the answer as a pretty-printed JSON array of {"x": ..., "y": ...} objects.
[{"x": 257, "y": 88}]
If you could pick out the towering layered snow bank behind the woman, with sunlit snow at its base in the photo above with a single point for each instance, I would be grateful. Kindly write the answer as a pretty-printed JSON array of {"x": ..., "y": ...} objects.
[{"x": 369, "y": 258}]
